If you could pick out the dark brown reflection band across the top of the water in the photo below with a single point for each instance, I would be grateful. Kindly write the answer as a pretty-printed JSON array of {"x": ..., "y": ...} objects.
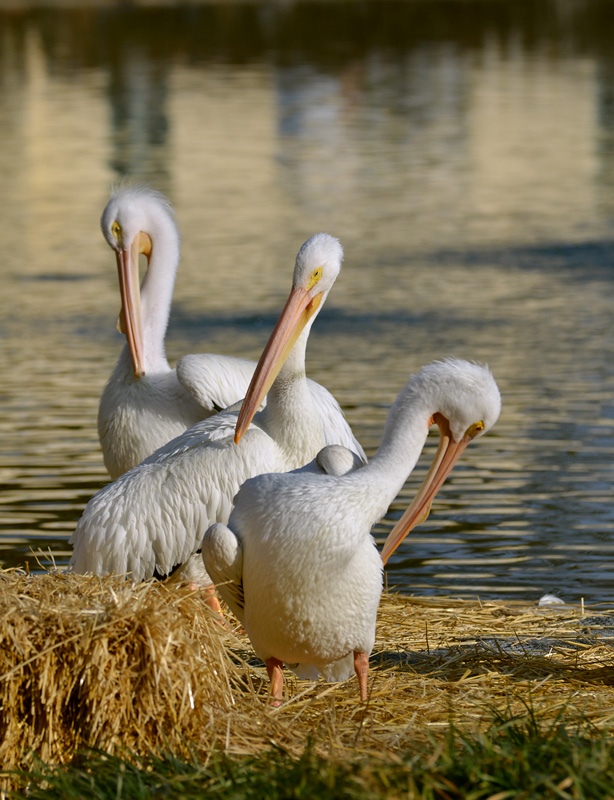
[{"x": 323, "y": 33}]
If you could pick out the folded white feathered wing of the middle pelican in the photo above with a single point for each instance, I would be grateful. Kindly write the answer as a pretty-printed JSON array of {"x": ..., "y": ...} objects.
[{"x": 154, "y": 516}]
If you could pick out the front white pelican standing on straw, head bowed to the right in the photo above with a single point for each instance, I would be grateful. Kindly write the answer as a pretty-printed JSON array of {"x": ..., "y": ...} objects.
[{"x": 296, "y": 562}]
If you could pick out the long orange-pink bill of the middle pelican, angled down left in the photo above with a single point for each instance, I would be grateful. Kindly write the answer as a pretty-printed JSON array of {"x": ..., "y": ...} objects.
[{"x": 299, "y": 309}]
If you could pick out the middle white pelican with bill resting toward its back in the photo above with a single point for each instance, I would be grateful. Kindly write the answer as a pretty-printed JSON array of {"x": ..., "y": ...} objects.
[{"x": 154, "y": 516}]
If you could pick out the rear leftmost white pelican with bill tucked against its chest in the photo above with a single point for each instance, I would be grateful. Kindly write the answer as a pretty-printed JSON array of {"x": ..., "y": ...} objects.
[{"x": 146, "y": 403}]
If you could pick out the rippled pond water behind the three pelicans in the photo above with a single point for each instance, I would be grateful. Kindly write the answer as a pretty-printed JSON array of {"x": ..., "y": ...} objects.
[{"x": 462, "y": 151}]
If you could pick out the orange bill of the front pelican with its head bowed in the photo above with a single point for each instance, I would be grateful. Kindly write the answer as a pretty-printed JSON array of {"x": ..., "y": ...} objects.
[{"x": 446, "y": 457}]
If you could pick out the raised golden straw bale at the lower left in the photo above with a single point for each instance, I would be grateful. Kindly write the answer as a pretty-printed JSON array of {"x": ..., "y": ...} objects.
[{"x": 100, "y": 661}]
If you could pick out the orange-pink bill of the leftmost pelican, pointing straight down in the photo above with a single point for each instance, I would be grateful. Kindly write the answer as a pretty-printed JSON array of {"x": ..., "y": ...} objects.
[{"x": 129, "y": 321}]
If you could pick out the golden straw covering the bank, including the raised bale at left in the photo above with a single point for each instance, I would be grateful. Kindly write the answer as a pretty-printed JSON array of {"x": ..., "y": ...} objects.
[{"x": 100, "y": 662}]
